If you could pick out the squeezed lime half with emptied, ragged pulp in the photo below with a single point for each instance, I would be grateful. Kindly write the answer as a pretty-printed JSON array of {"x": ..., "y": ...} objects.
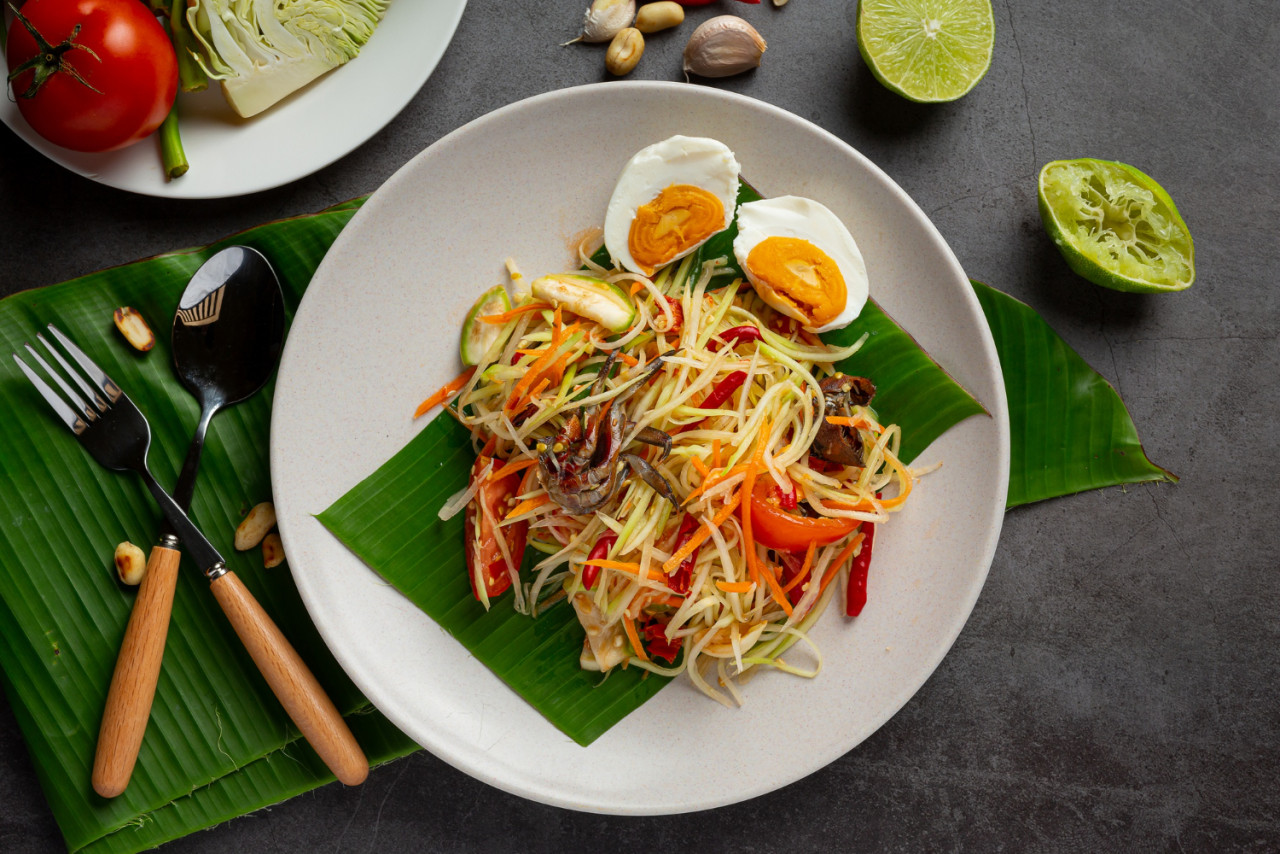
[{"x": 1117, "y": 227}]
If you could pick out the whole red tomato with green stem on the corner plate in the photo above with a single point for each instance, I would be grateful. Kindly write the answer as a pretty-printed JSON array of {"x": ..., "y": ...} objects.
[{"x": 127, "y": 83}]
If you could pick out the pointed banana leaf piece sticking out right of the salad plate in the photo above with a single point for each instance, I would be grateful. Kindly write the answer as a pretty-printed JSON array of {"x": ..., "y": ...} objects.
[{"x": 1069, "y": 430}]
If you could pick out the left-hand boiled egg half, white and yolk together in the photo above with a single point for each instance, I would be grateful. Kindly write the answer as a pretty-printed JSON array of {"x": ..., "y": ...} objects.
[{"x": 670, "y": 199}]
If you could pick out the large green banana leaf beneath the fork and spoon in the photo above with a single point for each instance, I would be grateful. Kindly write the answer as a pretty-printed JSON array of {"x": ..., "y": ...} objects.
[{"x": 218, "y": 743}]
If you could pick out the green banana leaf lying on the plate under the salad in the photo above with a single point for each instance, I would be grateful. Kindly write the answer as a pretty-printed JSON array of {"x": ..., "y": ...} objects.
[{"x": 382, "y": 522}]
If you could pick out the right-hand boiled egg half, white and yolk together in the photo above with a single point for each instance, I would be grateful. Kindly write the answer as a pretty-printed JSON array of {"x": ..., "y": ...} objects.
[{"x": 802, "y": 261}]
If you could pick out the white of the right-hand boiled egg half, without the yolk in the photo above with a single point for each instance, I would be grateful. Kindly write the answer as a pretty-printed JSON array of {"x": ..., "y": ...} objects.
[{"x": 806, "y": 220}]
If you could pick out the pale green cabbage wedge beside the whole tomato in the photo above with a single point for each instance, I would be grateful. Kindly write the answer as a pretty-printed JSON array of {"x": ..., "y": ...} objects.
[{"x": 263, "y": 51}]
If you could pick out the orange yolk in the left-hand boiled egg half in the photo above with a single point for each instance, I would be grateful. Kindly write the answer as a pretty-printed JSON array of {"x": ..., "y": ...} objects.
[{"x": 678, "y": 220}]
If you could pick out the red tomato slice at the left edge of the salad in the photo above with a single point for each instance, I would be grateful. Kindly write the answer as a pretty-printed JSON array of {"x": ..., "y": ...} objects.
[{"x": 493, "y": 501}]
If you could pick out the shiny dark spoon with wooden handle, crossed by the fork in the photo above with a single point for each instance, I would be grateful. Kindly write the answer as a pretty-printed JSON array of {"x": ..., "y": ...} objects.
[{"x": 227, "y": 337}]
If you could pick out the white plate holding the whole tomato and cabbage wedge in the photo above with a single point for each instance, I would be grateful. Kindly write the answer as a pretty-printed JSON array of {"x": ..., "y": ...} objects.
[{"x": 307, "y": 133}]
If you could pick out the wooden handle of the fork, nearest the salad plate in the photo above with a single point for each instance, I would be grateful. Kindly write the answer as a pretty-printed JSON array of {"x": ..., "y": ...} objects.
[{"x": 292, "y": 682}]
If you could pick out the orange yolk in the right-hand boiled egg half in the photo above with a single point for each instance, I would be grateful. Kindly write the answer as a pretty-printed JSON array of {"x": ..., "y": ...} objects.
[{"x": 798, "y": 278}]
